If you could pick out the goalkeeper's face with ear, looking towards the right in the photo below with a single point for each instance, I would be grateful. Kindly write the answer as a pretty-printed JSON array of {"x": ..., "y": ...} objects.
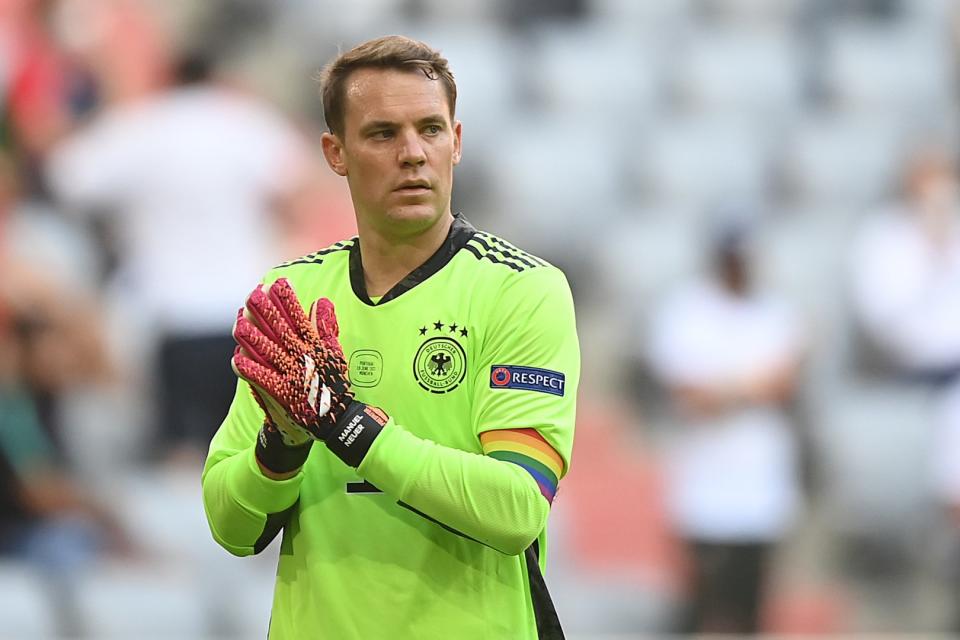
[{"x": 397, "y": 150}]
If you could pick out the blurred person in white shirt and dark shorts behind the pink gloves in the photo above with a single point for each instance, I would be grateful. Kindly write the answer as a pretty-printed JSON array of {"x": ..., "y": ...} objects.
[{"x": 194, "y": 177}]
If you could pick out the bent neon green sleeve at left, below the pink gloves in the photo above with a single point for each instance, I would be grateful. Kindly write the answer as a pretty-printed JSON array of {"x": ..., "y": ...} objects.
[{"x": 245, "y": 509}]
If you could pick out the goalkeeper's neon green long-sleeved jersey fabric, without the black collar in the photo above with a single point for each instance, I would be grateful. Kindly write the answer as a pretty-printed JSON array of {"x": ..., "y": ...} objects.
[{"x": 356, "y": 563}]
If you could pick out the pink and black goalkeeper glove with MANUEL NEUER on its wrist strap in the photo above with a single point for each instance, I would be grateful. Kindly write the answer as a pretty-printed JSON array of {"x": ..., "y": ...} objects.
[{"x": 296, "y": 368}]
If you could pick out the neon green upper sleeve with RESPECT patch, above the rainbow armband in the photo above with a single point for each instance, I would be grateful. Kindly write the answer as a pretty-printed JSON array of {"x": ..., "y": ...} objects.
[{"x": 528, "y": 369}]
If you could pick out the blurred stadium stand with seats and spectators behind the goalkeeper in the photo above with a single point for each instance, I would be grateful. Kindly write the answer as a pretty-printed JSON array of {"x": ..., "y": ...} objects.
[{"x": 756, "y": 203}]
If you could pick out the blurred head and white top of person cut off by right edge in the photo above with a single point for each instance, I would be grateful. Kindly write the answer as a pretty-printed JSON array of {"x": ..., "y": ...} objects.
[{"x": 906, "y": 273}]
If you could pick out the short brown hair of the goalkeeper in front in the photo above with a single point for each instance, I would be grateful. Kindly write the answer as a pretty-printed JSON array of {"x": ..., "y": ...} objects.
[{"x": 387, "y": 52}]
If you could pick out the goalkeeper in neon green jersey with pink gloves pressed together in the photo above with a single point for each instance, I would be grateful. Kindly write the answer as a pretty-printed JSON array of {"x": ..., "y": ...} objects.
[{"x": 406, "y": 400}]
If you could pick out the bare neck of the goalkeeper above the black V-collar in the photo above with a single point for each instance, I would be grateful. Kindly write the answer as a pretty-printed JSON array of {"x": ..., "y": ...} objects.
[{"x": 387, "y": 260}]
